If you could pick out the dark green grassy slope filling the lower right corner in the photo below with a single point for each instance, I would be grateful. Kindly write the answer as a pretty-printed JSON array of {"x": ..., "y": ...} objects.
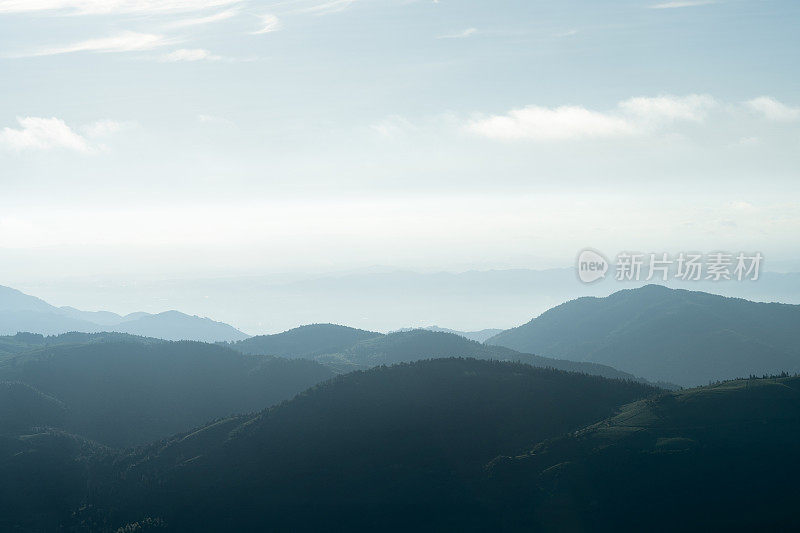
[{"x": 719, "y": 458}]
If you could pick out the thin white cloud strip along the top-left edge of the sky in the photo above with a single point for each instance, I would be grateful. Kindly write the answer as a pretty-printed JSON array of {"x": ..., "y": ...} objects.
[{"x": 94, "y": 7}]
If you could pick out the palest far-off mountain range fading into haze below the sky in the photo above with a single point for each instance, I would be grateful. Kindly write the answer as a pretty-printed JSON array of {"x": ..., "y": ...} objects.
[{"x": 386, "y": 299}]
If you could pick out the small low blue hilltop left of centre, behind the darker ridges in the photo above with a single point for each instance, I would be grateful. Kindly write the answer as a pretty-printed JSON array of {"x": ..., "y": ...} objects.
[{"x": 305, "y": 341}]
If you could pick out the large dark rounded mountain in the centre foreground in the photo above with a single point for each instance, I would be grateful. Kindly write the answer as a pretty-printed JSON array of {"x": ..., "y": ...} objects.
[{"x": 391, "y": 448}]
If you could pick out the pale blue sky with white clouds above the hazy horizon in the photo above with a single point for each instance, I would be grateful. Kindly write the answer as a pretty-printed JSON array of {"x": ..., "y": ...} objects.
[{"x": 191, "y": 138}]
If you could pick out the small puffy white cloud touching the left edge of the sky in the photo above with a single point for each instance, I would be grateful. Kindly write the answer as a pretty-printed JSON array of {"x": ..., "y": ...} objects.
[{"x": 43, "y": 134}]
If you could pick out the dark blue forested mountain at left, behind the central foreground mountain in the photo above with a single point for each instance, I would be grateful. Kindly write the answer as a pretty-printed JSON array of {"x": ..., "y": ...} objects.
[{"x": 129, "y": 392}]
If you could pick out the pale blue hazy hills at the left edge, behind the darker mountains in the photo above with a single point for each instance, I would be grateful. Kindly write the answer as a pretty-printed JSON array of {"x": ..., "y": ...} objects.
[{"x": 21, "y": 312}]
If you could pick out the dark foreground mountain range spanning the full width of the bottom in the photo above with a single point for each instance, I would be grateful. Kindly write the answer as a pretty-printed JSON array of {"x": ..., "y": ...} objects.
[{"x": 443, "y": 444}]
